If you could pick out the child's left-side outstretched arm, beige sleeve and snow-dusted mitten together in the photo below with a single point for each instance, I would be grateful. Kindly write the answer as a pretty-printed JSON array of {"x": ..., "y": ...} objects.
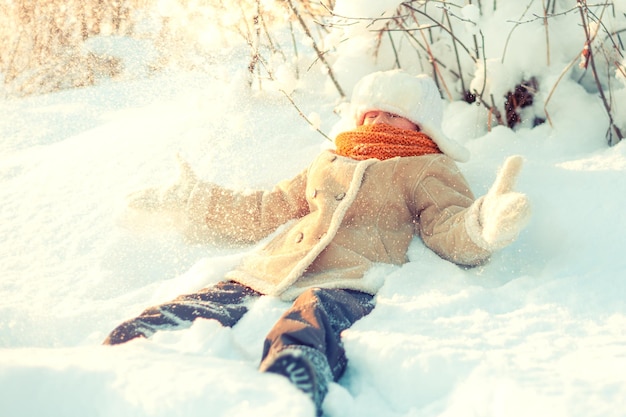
[{"x": 204, "y": 211}]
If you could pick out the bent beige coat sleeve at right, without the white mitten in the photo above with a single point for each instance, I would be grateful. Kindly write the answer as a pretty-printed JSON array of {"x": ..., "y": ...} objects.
[{"x": 444, "y": 207}]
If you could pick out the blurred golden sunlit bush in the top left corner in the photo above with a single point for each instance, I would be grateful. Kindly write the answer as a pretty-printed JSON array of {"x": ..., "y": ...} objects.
[{"x": 41, "y": 42}]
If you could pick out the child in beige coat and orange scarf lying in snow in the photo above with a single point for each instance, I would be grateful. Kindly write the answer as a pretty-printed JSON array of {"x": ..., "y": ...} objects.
[{"x": 391, "y": 177}]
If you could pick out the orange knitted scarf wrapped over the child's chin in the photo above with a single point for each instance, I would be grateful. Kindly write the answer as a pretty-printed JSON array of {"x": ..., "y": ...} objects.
[{"x": 382, "y": 141}]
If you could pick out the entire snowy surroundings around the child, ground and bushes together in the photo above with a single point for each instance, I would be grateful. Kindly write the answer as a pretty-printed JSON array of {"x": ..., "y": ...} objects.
[{"x": 97, "y": 96}]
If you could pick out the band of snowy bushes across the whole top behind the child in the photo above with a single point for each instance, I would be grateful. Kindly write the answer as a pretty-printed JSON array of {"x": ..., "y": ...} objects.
[{"x": 508, "y": 57}]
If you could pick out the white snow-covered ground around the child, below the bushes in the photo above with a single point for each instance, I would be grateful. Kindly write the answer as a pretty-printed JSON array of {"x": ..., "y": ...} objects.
[{"x": 538, "y": 331}]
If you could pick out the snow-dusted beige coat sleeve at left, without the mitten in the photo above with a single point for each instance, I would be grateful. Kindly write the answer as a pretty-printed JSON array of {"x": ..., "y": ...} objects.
[{"x": 217, "y": 214}]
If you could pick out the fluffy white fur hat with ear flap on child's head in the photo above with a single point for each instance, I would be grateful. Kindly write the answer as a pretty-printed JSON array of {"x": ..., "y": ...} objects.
[{"x": 413, "y": 97}]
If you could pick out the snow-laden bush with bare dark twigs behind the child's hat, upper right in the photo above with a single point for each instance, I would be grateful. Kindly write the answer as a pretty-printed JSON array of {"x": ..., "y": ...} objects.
[{"x": 463, "y": 46}]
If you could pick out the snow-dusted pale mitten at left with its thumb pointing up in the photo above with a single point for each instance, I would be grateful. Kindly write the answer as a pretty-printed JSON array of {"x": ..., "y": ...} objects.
[{"x": 172, "y": 197}]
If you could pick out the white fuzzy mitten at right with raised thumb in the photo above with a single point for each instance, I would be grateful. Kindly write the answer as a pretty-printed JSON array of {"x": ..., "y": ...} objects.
[{"x": 503, "y": 212}]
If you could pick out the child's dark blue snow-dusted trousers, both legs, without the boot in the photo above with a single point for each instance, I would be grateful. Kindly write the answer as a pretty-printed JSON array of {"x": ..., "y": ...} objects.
[{"x": 313, "y": 322}]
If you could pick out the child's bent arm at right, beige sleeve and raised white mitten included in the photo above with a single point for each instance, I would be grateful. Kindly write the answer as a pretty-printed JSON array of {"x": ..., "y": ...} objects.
[{"x": 464, "y": 230}]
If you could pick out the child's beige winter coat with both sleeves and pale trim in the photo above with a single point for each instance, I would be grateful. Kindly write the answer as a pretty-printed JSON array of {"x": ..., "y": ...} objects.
[{"x": 341, "y": 217}]
